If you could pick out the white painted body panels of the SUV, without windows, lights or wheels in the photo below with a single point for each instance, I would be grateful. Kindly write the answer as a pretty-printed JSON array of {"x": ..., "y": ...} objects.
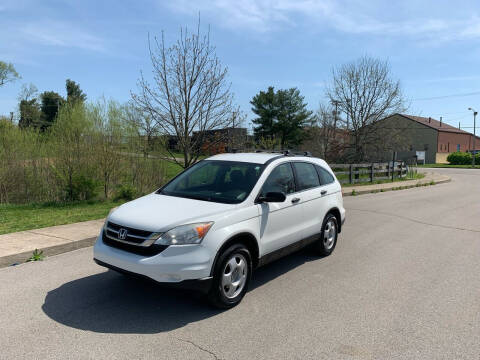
[{"x": 273, "y": 225}]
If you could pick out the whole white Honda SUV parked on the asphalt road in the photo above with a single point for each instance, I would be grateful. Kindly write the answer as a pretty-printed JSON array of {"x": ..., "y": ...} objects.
[{"x": 213, "y": 224}]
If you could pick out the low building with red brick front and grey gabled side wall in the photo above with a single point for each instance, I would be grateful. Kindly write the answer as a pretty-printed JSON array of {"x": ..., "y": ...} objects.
[{"x": 430, "y": 138}]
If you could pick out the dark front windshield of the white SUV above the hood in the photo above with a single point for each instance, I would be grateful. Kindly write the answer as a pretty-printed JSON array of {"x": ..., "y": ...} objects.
[{"x": 227, "y": 182}]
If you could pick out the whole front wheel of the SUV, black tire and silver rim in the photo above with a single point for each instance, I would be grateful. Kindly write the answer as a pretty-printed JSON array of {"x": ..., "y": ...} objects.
[{"x": 231, "y": 277}]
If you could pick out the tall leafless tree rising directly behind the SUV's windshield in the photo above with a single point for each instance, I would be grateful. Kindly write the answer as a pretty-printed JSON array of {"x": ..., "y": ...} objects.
[{"x": 189, "y": 96}]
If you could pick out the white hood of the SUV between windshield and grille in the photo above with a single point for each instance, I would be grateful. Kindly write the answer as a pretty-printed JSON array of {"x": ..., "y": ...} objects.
[{"x": 159, "y": 213}]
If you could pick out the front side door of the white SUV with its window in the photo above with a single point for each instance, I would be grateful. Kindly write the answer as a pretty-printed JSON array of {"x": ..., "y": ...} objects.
[{"x": 280, "y": 222}]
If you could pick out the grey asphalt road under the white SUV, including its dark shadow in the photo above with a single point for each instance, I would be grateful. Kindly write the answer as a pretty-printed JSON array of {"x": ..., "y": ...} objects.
[{"x": 403, "y": 283}]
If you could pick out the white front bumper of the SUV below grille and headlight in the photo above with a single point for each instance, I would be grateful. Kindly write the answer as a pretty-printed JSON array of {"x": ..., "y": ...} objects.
[{"x": 175, "y": 264}]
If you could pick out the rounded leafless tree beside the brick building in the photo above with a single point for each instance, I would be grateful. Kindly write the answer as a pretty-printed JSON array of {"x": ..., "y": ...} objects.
[{"x": 365, "y": 91}]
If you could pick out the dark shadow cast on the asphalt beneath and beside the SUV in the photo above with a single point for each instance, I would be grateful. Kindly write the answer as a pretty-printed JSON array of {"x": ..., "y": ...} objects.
[{"x": 109, "y": 302}]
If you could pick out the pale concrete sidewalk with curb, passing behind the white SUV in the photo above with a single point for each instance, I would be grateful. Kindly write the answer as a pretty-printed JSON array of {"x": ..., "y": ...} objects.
[{"x": 18, "y": 247}]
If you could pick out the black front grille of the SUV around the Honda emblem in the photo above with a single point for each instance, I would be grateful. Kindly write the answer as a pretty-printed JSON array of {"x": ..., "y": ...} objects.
[{"x": 132, "y": 242}]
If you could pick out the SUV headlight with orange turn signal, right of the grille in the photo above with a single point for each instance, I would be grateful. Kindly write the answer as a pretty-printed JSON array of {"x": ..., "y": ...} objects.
[{"x": 185, "y": 234}]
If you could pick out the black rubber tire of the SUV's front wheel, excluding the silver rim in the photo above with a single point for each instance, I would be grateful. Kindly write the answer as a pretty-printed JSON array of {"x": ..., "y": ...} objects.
[{"x": 216, "y": 296}]
